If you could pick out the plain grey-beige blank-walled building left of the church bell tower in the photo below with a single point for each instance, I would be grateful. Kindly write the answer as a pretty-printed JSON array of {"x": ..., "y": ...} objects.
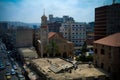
[{"x": 23, "y": 38}]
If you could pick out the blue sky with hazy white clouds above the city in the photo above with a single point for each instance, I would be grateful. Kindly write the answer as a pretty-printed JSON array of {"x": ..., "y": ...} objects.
[{"x": 30, "y": 11}]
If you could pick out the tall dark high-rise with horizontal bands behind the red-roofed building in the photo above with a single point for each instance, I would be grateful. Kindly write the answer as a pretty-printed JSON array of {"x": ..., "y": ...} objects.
[{"x": 107, "y": 20}]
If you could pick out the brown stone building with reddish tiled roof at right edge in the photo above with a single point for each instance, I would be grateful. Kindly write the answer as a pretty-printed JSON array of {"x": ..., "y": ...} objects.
[{"x": 107, "y": 54}]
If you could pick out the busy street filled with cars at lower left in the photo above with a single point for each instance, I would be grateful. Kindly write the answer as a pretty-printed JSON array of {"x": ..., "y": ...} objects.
[{"x": 9, "y": 69}]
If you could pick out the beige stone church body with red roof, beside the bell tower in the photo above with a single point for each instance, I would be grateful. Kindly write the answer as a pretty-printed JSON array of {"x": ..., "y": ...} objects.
[{"x": 57, "y": 47}]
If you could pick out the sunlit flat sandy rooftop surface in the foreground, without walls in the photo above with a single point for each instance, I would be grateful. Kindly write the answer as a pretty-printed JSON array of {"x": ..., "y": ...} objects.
[{"x": 51, "y": 67}]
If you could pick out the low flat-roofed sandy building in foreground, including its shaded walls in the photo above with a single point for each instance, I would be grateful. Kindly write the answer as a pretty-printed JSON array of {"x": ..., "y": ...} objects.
[{"x": 59, "y": 69}]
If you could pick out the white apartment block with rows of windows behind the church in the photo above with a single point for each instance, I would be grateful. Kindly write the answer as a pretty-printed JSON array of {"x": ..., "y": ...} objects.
[{"x": 74, "y": 32}]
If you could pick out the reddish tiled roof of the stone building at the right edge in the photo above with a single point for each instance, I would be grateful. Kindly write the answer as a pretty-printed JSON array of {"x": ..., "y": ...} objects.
[{"x": 112, "y": 40}]
